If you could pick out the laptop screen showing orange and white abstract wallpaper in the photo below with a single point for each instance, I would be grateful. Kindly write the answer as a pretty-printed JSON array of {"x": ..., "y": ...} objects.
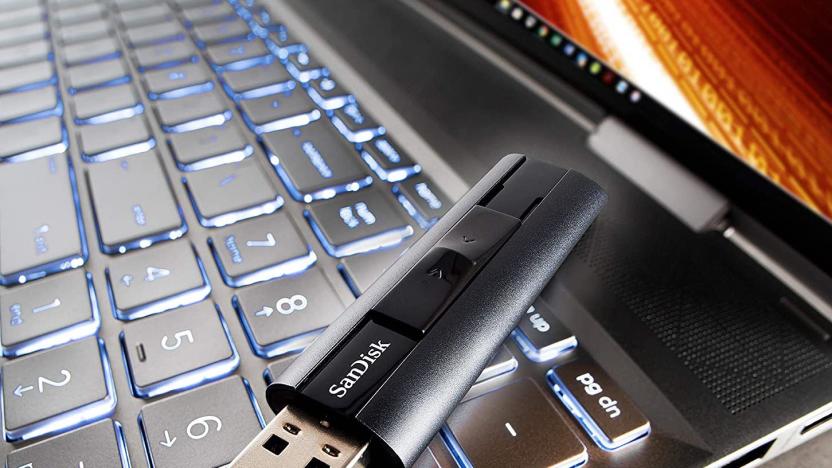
[{"x": 753, "y": 75}]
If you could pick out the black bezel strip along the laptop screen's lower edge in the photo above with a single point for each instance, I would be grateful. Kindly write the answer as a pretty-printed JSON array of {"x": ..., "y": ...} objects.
[{"x": 787, "y": 217}]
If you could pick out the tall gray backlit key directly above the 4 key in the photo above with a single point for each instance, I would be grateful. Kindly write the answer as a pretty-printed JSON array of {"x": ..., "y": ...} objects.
[{"x": 133, "y": 204}]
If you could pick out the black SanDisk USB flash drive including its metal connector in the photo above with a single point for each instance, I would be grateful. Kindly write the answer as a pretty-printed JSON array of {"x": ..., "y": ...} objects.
[{"x": 380, "y": 381}]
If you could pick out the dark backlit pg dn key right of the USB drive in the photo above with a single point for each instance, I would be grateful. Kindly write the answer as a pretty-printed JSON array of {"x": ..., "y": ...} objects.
[{"x": 607, "y": 414}]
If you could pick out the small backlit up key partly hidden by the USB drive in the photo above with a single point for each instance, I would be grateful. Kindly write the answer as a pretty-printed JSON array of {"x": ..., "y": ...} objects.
[{"x": 541, "y": 336}]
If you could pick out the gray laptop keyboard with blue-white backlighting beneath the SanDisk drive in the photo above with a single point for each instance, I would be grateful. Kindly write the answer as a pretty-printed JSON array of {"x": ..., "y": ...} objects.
[{"x": 179, "y": 182}]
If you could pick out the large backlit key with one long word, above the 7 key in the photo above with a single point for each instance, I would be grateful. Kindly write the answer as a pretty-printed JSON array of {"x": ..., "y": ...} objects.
[{"x": 315, "y": 162}]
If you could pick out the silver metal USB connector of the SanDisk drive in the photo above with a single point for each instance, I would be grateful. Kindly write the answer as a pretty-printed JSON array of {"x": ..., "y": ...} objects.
[{"x": 296, "y": 438}]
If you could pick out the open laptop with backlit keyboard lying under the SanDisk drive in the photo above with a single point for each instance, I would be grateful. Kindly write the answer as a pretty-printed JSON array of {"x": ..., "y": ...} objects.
[{"x": 191, "y": 190}]
